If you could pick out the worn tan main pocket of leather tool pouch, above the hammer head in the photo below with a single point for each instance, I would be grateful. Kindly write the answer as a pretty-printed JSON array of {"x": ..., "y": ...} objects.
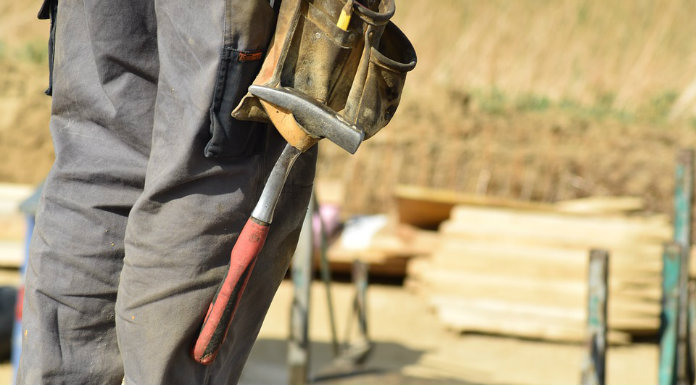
[{"x": 310, "y": 54}]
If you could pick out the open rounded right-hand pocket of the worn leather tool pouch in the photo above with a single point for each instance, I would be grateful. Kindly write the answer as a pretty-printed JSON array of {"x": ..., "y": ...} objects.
[{"x": 386, "y": 75}]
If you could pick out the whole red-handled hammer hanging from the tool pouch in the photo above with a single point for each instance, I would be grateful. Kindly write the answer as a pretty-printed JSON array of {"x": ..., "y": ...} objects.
[{"x": 302, "y": 121}]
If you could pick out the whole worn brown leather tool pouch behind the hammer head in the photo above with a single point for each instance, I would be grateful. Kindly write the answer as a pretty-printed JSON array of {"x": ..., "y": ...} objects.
[{"x": 358, "y": 72}]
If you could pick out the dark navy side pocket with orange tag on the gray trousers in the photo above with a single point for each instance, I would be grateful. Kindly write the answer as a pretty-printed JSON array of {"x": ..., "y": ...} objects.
[{"x": 230, "y": 137}]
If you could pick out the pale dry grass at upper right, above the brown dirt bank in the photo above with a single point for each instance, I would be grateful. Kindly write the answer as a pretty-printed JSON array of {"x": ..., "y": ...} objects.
[{"x": 618, "y": 59}]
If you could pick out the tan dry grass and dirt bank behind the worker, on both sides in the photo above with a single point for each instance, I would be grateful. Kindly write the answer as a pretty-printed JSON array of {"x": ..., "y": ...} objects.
[{"x": 535, "y": 100}]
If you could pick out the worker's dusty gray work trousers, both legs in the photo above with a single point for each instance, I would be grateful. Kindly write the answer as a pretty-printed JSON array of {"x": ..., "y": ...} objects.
[{"x": 152, "y": 182}]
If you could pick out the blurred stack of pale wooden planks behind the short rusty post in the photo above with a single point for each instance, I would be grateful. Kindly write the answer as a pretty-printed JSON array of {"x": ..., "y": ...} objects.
[{"x": 523, "y": 272}]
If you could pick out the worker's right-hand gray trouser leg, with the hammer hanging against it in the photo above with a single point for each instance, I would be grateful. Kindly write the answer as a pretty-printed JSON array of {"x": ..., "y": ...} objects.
[{"x": 182, "y": 228}]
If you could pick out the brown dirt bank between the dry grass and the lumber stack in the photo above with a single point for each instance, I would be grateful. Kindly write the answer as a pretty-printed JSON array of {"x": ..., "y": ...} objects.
[{"x": 527, "y": 156}]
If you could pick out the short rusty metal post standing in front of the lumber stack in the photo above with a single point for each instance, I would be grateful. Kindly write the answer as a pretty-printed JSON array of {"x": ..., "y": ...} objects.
[{"x": 593, "y": 371}]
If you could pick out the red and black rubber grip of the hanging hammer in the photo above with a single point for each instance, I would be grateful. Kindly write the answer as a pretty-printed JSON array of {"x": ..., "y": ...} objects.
[{"x": 222, "y": 308}]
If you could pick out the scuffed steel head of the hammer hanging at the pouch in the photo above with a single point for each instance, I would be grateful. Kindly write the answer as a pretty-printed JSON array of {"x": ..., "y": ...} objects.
[{"x": 316, "y": 119}]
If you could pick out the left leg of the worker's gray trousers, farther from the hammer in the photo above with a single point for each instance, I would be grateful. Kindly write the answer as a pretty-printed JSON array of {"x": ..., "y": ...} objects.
[{"x": 103, "y": 101}]
